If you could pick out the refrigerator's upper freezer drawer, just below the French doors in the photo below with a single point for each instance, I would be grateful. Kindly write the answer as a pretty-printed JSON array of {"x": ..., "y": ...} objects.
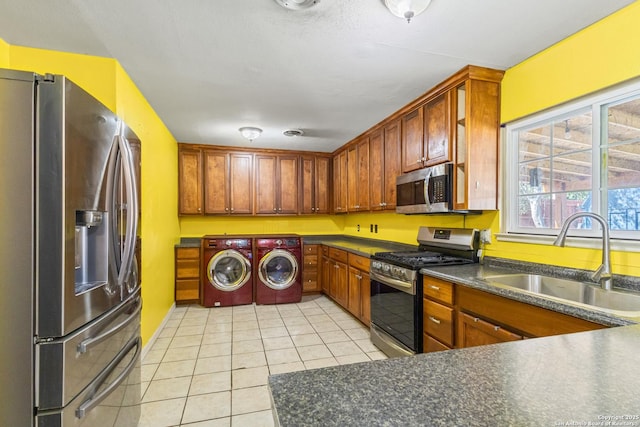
[{"x": 65, "y": 367}]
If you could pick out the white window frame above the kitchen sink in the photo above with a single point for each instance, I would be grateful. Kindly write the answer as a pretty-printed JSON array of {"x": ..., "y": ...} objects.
[{"x": 597, "y": 103}]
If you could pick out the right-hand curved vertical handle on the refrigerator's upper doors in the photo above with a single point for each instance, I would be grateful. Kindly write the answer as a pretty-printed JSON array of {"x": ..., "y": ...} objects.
[{"x": 132, "y": 210}]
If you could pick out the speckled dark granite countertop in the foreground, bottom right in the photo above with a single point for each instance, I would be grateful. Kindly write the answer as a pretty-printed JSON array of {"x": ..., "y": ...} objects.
[{"x": 572, "y": 379}]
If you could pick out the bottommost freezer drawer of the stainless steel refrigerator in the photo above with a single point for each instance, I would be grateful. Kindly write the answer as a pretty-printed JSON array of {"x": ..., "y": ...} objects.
[{"x": 111, "y": 400}]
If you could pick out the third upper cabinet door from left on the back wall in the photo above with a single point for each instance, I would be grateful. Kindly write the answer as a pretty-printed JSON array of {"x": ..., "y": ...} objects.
[{"x": 240, "y": 183}]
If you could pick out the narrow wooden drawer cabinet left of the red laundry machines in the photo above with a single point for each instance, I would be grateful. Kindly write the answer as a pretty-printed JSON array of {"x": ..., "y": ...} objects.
[{"x": 187, "y": 281}]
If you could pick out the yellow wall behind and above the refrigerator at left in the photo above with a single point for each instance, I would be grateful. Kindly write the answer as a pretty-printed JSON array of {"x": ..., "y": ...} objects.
[{"x": 105, "y": 79}]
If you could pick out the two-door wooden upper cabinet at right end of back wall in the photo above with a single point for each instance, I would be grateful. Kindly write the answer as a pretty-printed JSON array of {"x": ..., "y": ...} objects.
[{"x": 315, "y": 176}]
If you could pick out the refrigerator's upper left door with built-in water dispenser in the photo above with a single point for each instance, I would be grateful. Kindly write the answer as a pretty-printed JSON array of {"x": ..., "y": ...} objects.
[{"x": 79, "y": 158}]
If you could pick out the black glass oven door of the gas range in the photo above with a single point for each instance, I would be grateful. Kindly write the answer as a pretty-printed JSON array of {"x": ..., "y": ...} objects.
[{"x": 395, "y": 318}]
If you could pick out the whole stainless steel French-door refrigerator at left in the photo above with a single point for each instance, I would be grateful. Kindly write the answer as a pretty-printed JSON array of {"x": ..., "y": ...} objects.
[{"x": 70, "y": 289}]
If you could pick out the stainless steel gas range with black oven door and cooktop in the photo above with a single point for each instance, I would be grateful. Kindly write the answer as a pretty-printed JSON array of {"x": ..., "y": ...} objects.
[{"x": 396, "y": 286}]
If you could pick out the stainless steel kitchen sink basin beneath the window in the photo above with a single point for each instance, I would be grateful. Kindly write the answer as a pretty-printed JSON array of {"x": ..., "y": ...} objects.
[{"x": 615, "y": 301}]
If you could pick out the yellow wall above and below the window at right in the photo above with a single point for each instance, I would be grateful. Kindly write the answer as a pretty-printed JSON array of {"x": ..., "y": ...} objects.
[{"x": 595, "y": 58}]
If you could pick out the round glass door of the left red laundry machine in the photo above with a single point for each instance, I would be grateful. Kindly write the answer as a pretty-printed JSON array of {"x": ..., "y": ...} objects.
[{"x": 228, "y": 270}]
